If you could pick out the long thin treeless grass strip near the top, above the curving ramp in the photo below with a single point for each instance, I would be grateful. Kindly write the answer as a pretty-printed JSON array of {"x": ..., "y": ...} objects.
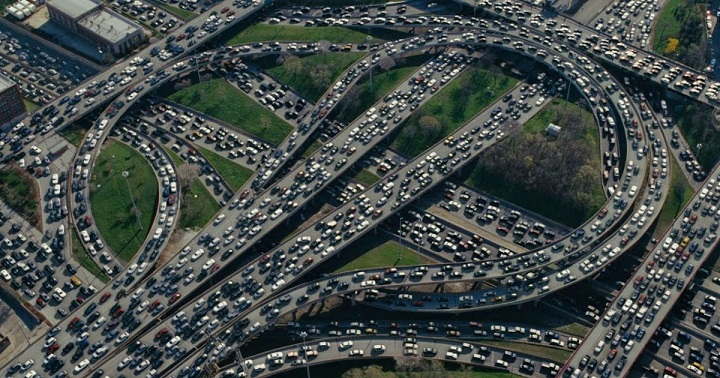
[{"x": 290, "y": 33}]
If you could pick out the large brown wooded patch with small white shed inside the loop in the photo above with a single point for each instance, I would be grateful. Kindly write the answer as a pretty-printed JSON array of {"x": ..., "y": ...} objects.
[{"x": 559, "y": 178}]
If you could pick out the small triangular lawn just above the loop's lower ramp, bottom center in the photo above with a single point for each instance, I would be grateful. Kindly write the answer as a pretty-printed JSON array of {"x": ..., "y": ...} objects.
[{"x": 385, "y": 255}]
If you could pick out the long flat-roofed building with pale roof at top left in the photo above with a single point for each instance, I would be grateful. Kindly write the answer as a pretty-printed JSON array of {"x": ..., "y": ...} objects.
[{"x": 111, "y": 32}]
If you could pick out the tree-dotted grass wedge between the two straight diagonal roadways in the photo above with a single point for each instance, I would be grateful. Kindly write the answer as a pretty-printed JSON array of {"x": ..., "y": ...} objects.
[{"x": 462, "y": 99}]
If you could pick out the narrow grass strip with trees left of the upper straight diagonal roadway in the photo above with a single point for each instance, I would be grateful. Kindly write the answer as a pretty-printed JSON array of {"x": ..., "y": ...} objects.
[{"x": 382, "y": 84}]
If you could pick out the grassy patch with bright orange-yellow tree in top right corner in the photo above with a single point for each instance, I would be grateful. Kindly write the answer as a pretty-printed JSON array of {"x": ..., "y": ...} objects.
[{"x": 679, "y": 32}]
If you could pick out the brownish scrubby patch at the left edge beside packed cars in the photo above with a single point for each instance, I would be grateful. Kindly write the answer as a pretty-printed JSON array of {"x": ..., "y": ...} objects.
[{"x": 20, "y": 193}]
